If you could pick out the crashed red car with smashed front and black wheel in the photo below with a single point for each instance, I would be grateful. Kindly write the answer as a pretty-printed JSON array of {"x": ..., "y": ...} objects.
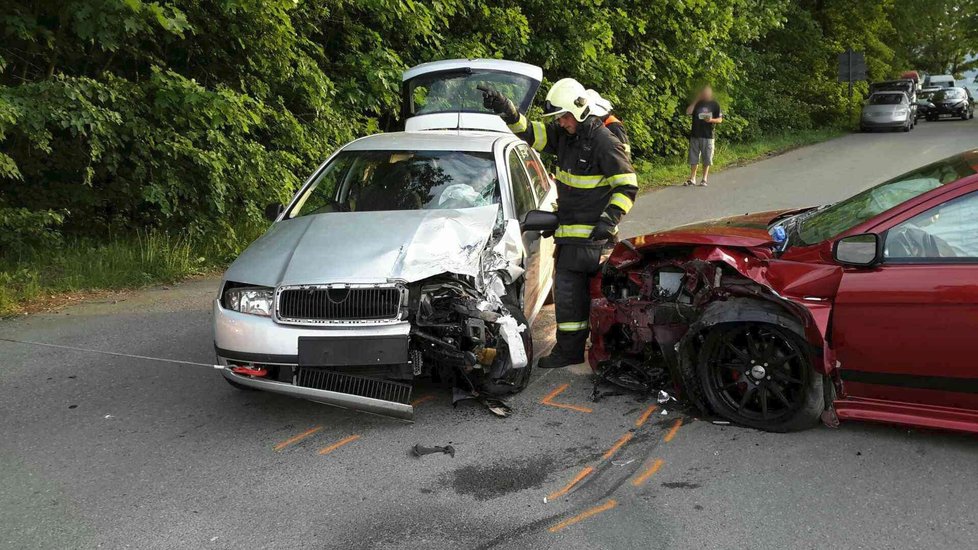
[{"x": 866, "y": 309}]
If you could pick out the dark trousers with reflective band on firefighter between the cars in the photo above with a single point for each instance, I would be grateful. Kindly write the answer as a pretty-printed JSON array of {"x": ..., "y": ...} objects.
[{"x": 575, "y": 266}]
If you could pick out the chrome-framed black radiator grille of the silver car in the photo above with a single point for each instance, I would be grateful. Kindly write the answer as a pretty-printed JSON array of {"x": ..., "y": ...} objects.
[{"x": 339, "y": 303}]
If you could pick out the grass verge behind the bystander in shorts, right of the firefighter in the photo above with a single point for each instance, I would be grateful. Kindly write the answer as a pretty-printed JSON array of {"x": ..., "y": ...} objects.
[{"x": 675, "y": 170}]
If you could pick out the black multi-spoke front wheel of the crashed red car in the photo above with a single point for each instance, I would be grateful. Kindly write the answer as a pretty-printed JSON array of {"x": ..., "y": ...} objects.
[{"x": 760, "y": 375}]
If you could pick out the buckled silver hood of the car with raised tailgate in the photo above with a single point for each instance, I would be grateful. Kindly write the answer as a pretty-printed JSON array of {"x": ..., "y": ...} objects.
[{"x": 367, "y": 247}]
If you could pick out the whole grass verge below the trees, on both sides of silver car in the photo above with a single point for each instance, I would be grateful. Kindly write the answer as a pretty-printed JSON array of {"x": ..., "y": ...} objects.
[{"x": 155, "y": 257}]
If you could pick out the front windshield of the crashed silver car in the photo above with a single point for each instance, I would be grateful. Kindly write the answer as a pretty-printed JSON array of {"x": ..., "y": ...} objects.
[{"x": 370, "y": 181}]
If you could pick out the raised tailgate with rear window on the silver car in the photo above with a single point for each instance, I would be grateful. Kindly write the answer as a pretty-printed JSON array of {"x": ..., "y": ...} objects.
[{"x": 443, "y": 95}]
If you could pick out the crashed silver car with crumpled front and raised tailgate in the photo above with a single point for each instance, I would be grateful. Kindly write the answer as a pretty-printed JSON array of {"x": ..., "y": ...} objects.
[{"x": 401, "y": 257}]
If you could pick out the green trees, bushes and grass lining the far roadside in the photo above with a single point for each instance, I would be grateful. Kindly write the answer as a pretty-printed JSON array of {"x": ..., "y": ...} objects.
[{"x": 138, "y": 138}]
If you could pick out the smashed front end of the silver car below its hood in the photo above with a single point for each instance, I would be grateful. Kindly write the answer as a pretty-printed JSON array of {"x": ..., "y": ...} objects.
[{"x": 362, "y": 345}]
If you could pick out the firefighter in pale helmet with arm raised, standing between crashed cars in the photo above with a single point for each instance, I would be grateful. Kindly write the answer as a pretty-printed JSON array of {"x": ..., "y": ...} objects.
[{"x": 596, "y": 186}]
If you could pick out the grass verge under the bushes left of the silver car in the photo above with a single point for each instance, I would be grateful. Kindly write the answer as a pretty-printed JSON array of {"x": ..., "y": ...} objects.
[{"x": 149, "y": 257}]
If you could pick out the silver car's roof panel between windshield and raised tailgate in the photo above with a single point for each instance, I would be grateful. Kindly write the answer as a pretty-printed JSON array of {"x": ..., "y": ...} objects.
[{"x": 429, "y": 140}]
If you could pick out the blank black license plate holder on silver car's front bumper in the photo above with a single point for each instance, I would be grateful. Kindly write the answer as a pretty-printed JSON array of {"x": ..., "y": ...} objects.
[{"x": 352, "y": 351}]
